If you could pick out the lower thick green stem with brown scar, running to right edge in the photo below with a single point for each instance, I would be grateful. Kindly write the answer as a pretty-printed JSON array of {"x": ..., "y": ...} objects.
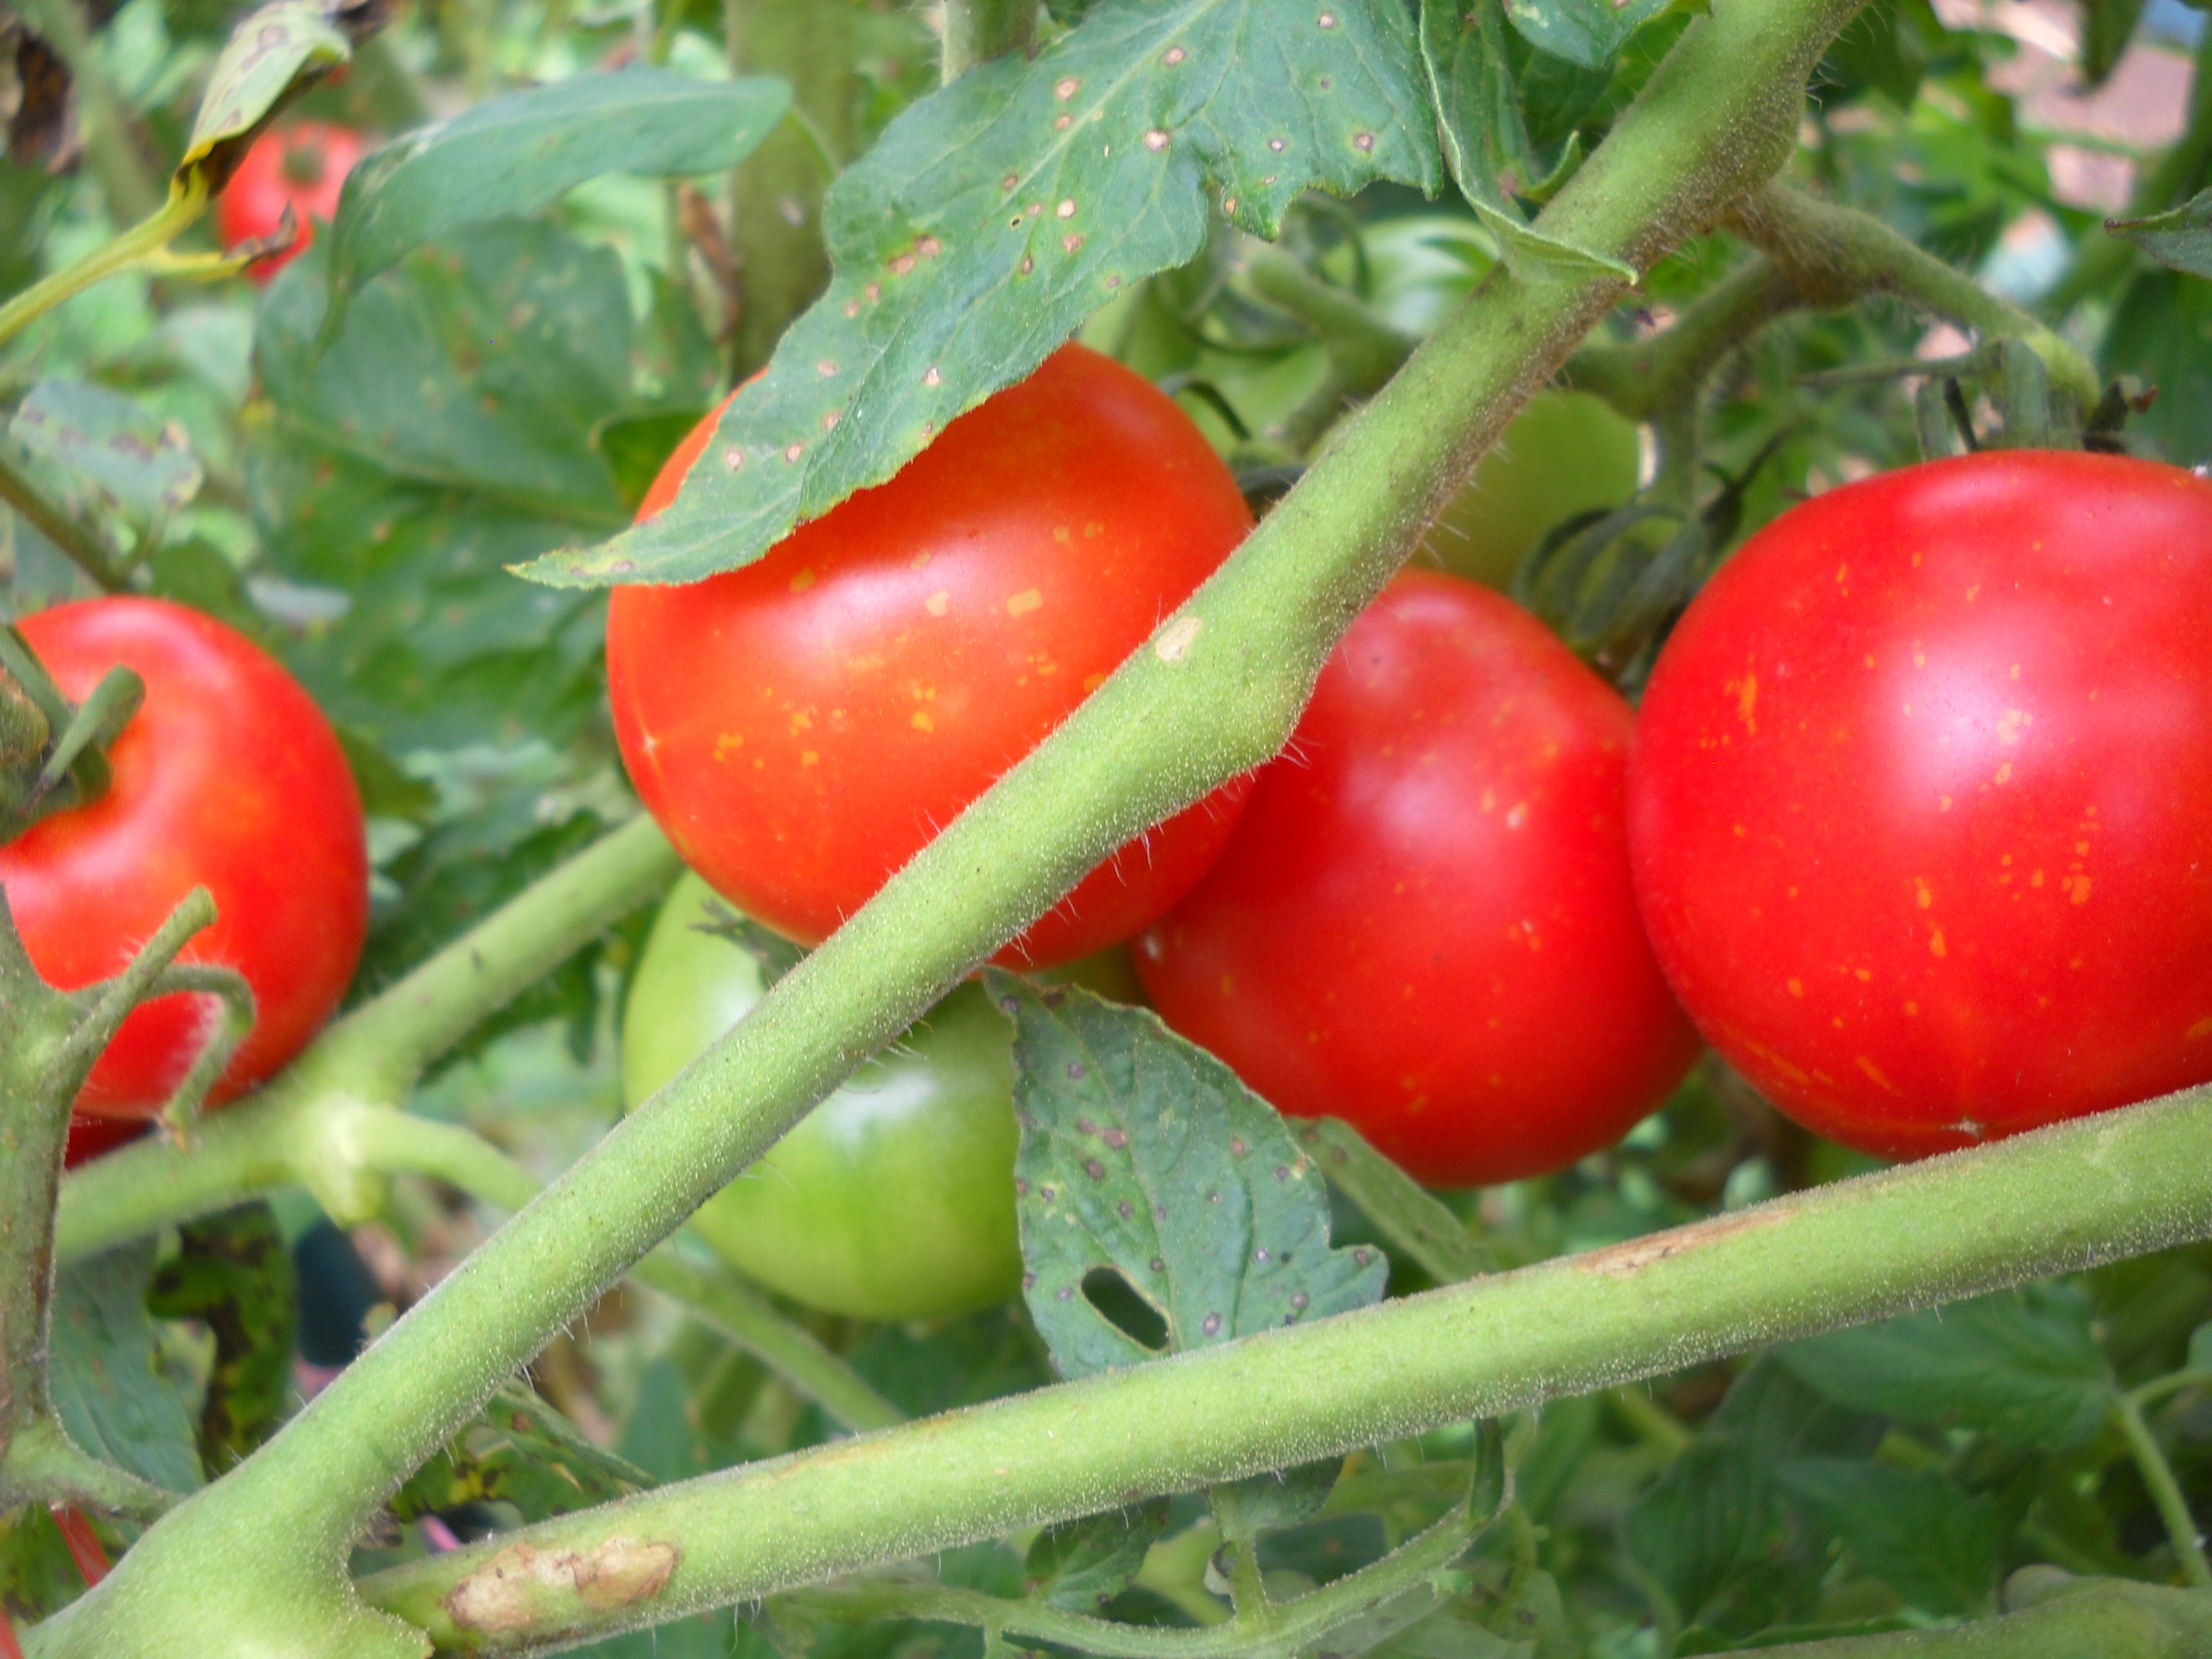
[{"x": 1954, "y": 1227}]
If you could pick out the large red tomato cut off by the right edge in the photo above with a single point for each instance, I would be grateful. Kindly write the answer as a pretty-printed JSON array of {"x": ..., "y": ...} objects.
[{"x": 1923, "y": 800}]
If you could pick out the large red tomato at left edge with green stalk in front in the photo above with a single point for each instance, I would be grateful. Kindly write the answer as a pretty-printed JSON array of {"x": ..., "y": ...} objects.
[{"x": 227, "y": 780}]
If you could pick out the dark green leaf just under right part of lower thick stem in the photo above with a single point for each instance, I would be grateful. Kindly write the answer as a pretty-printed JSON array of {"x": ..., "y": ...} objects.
[{"x": 2018, "y": 1366}]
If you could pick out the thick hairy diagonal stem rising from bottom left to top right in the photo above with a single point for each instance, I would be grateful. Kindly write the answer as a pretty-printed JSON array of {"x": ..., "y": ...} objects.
[{"x": 1211, "y": 696}]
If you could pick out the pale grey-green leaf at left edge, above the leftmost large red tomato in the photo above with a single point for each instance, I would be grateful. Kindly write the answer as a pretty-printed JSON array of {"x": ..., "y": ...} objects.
[{"x": 107, "y": 452}]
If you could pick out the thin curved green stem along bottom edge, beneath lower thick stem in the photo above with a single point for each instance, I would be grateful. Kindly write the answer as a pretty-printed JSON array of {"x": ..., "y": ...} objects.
[{"x": 1288, "y": 1627}]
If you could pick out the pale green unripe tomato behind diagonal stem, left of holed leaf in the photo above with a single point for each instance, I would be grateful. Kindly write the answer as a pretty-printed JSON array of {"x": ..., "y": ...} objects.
[{"x": 895, "y": 1198}]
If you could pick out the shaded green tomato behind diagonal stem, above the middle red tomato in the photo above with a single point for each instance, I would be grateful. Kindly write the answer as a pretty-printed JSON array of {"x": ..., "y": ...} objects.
[{"x": 1565, "y": 455}]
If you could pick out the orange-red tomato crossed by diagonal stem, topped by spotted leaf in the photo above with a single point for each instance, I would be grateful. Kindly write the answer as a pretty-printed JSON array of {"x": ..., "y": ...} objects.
[{"x": 806, "y": 724}]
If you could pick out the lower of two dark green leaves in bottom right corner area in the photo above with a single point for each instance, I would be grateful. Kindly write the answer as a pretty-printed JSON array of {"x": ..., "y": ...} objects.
[{"x": 1912, "y": 1530}]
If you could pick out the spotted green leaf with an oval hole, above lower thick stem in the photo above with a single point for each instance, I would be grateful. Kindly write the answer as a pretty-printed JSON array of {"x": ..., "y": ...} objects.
[{"x": 1151, "y": 1173}]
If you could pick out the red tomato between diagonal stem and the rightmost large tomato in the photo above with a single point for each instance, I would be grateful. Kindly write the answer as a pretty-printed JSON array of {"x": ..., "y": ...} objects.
[{"x": 1426, "y": 924}]
